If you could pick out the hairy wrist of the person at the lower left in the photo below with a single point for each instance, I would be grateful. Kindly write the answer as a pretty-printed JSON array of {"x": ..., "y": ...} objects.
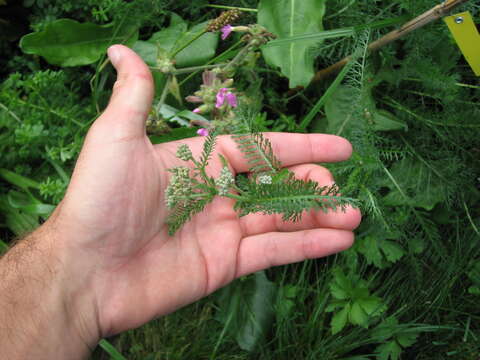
[{"x": 48, "y": 309}]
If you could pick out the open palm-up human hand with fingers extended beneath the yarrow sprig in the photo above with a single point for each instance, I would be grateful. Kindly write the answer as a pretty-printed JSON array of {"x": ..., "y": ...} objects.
[{"x": 111, "y": 226}]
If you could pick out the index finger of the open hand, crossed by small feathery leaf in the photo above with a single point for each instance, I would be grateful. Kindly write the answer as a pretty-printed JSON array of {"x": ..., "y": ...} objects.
[{"x": 292, "y": 149}]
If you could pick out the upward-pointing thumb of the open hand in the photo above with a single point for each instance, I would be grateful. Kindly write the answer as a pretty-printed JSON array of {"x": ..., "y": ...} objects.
[{"x": 132, "y": 96}]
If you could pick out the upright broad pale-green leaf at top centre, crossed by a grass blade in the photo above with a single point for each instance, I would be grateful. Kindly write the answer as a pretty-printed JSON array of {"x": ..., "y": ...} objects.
[{"x": 287, "y": 18}]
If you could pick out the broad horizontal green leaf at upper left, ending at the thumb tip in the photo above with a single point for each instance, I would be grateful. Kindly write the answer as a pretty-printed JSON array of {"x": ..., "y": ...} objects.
[{"x": 66, "y": 42}]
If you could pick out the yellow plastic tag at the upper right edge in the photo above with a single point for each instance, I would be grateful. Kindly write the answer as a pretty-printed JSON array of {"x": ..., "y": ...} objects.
[{"x": 467, "y": 37}]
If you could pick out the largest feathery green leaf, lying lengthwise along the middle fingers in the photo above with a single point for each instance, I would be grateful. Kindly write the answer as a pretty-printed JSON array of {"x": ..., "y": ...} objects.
[{"x": 289, "y": 197}]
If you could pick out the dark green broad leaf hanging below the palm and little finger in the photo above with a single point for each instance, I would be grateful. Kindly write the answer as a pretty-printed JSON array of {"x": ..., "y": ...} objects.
[{"x": 246, "y": 307}]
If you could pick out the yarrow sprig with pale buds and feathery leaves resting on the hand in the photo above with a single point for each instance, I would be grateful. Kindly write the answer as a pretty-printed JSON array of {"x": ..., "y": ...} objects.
[{"x": 270, "y": 189}]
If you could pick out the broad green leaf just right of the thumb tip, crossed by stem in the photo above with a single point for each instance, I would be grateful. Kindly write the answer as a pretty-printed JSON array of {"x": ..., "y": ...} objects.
[{"x": 174, "y": 37}]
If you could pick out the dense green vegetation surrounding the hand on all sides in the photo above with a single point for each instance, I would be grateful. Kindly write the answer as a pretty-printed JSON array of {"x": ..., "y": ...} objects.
[{"x": 410, "y": 286}]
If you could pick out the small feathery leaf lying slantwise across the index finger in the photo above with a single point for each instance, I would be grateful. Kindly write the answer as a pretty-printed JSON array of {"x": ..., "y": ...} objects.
[{"x": 258, "y": 152}]
